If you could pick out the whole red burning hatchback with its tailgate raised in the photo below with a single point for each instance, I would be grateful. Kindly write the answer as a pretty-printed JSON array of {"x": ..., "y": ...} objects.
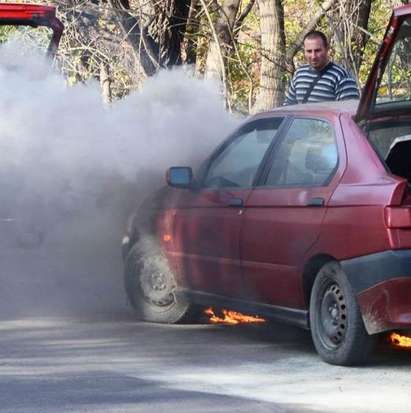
[{"x": 302, "y": 215}]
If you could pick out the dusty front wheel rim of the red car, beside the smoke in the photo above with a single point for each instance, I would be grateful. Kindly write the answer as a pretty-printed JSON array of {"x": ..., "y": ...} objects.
[{"x": 157, "y": 284}]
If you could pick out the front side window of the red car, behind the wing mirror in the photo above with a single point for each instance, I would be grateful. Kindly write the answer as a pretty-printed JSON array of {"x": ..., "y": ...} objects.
[{"x": 236, "y": 165}]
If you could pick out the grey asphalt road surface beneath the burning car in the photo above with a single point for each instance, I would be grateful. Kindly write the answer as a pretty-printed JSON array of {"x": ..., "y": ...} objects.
[{"x": 113, "y": 364}]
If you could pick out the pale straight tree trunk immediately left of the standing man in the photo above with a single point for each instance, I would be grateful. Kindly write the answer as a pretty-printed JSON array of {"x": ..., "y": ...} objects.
[{"x": 271, "y": 89}]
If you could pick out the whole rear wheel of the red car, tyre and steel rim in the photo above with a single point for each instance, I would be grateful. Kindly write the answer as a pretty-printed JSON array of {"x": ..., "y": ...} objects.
[{"x": 336, "y": 324}]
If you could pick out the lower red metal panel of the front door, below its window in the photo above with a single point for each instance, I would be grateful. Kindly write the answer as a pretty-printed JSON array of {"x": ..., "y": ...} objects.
[{"x": 206, "y": 234}]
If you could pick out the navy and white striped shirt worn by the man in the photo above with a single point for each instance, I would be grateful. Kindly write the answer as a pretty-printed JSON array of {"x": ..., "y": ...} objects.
[{"x": 334, "y": 84}]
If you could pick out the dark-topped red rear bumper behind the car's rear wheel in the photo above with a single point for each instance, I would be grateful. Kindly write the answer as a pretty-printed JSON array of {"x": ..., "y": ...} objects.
[{"x": 382, "y": 283}]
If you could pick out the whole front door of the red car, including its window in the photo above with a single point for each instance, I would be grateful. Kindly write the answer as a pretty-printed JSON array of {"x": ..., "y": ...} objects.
[{"x": 208, "y": 221}]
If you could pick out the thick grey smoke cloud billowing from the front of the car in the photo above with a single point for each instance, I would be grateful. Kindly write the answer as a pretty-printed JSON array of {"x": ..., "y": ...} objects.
[{"x": 71, "y": 169}]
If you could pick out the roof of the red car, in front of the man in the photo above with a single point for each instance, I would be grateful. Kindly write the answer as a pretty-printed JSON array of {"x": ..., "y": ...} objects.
[{"x": 316, "y": 109}]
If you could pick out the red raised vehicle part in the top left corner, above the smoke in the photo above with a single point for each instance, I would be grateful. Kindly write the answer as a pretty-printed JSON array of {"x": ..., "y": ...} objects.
[{"x": 34, "y": 16}]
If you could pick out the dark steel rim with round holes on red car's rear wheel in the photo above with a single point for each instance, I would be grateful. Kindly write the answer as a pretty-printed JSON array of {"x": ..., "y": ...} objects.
[{"x": 333, "y": 315}]
